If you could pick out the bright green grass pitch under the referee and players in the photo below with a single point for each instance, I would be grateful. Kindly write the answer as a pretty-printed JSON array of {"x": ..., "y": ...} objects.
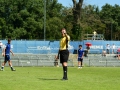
[{"x": 49, "y": 78}]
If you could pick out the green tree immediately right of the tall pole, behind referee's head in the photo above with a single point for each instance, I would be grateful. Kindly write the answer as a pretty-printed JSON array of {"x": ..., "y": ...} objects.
[{"x": 55, "y": 20}]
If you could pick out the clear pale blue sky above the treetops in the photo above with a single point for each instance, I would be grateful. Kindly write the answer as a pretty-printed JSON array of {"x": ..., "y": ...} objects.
[{"x": 99, "y": 3}]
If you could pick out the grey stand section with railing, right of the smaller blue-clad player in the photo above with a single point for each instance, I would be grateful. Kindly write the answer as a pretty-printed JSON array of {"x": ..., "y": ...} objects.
[{"x": 110, "y": 60}]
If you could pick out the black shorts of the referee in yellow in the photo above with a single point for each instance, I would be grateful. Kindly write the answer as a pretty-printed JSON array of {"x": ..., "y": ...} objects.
[{"x": 64, "y": 54}]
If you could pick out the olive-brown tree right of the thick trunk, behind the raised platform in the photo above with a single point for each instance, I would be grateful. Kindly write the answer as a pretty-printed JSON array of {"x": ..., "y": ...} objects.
[{"x": 91, "y": 21}]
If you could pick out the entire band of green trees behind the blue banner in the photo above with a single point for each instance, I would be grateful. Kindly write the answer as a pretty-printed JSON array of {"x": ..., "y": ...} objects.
[{"x": 24, "y": 19}]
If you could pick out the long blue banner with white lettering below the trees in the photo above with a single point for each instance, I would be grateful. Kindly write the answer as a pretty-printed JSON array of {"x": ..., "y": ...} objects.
[{"x": 44, "y": 47}]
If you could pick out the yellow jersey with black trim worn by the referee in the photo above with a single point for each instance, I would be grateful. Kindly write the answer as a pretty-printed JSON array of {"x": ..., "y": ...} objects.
[{"x": 64, "y": 42}]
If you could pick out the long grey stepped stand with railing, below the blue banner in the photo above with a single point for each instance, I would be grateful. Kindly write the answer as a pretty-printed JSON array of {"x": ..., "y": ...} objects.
[{"x": 29, "y": 59}]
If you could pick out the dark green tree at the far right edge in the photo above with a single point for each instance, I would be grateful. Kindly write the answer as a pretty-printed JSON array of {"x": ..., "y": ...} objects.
[{"x": 110, "y": 16}]
